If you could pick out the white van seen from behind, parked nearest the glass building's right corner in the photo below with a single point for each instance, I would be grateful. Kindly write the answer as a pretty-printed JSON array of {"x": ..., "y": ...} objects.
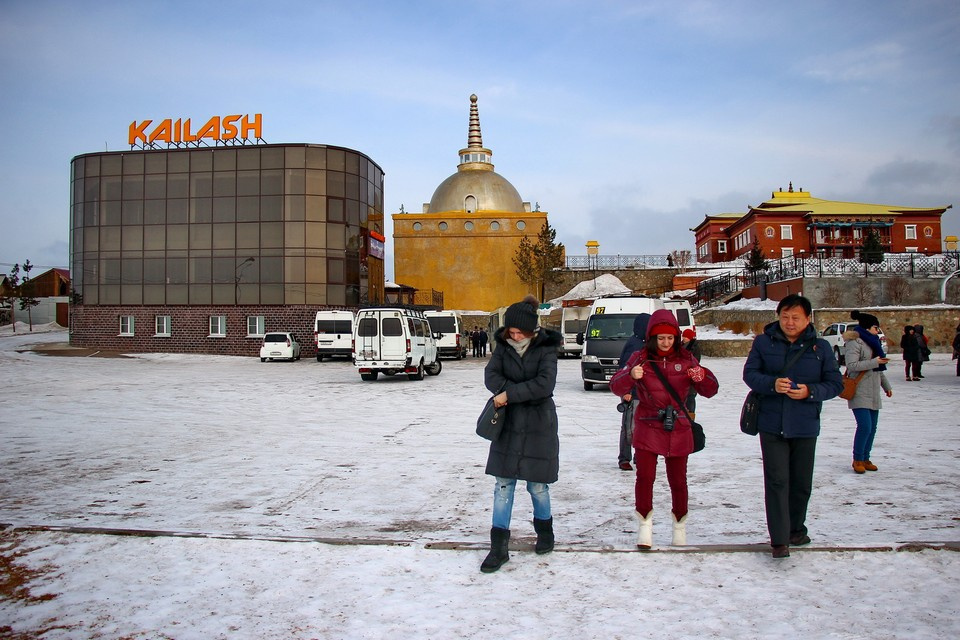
[{"x": 394, "y": 340}]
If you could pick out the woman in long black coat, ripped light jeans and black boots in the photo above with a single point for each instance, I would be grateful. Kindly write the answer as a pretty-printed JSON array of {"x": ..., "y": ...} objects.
[{"x": 522, "y": 372}]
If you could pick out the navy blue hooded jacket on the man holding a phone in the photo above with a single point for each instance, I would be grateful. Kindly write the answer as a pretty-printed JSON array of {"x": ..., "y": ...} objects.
[{"x": 817, "y": 368}]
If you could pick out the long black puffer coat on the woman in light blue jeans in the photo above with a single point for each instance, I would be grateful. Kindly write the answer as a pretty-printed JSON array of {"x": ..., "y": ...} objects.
[{"x": 528, "y": 447}]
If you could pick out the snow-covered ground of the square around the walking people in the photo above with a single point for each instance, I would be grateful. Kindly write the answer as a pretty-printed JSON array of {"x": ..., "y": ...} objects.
[{"x": 293, "y": 500}]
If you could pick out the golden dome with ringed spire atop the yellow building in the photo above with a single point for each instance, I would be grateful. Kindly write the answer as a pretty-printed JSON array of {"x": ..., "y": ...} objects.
[{"x": 475, "y": 186}]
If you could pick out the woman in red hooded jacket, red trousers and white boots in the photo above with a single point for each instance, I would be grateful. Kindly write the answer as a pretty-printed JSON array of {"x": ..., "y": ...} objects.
[{"x": 660, "y": 426}]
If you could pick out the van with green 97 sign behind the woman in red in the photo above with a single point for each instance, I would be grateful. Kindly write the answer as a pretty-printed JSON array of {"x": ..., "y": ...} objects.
[{"x": 609, "y": 327}]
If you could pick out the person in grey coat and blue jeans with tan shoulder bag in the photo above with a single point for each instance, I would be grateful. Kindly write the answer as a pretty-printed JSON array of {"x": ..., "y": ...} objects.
[{"x": 865, "y": 357}]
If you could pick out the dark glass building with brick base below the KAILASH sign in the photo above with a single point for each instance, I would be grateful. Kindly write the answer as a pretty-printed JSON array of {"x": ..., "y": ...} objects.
[{"x": 194, "y": 232}]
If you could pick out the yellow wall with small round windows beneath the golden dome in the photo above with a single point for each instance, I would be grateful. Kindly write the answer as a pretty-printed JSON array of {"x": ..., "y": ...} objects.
[{"x": 474, "y": 269}]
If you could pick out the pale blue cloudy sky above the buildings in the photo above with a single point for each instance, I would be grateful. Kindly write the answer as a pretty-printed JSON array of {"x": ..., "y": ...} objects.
[{"x": 626, "y": 121}]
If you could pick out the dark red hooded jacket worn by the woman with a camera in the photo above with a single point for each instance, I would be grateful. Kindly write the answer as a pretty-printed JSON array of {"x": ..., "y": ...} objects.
[{"x": 652, "y": 395}]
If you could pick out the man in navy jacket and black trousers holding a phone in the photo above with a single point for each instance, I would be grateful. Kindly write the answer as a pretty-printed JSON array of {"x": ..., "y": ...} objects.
[{"x": 789, "y": 418}]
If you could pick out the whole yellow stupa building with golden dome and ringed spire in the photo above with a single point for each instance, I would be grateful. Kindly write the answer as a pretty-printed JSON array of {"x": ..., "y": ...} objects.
[{"x": 464, "y": 241}]
